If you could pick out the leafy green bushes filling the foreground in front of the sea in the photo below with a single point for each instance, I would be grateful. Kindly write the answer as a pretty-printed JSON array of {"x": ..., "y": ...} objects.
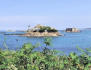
[{"x": 27, "y": 58}]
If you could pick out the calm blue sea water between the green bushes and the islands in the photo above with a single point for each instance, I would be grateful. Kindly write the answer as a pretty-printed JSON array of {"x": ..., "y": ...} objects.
[{"x": 66, "y": 43}]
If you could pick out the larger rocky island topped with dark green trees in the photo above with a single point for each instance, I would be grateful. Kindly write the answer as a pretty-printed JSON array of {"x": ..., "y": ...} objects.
[{"x": 41, "y": 31}]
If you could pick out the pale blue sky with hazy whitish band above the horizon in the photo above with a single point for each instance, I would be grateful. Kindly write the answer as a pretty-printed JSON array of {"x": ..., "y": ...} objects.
[{"x": 60, "y": 14}]
